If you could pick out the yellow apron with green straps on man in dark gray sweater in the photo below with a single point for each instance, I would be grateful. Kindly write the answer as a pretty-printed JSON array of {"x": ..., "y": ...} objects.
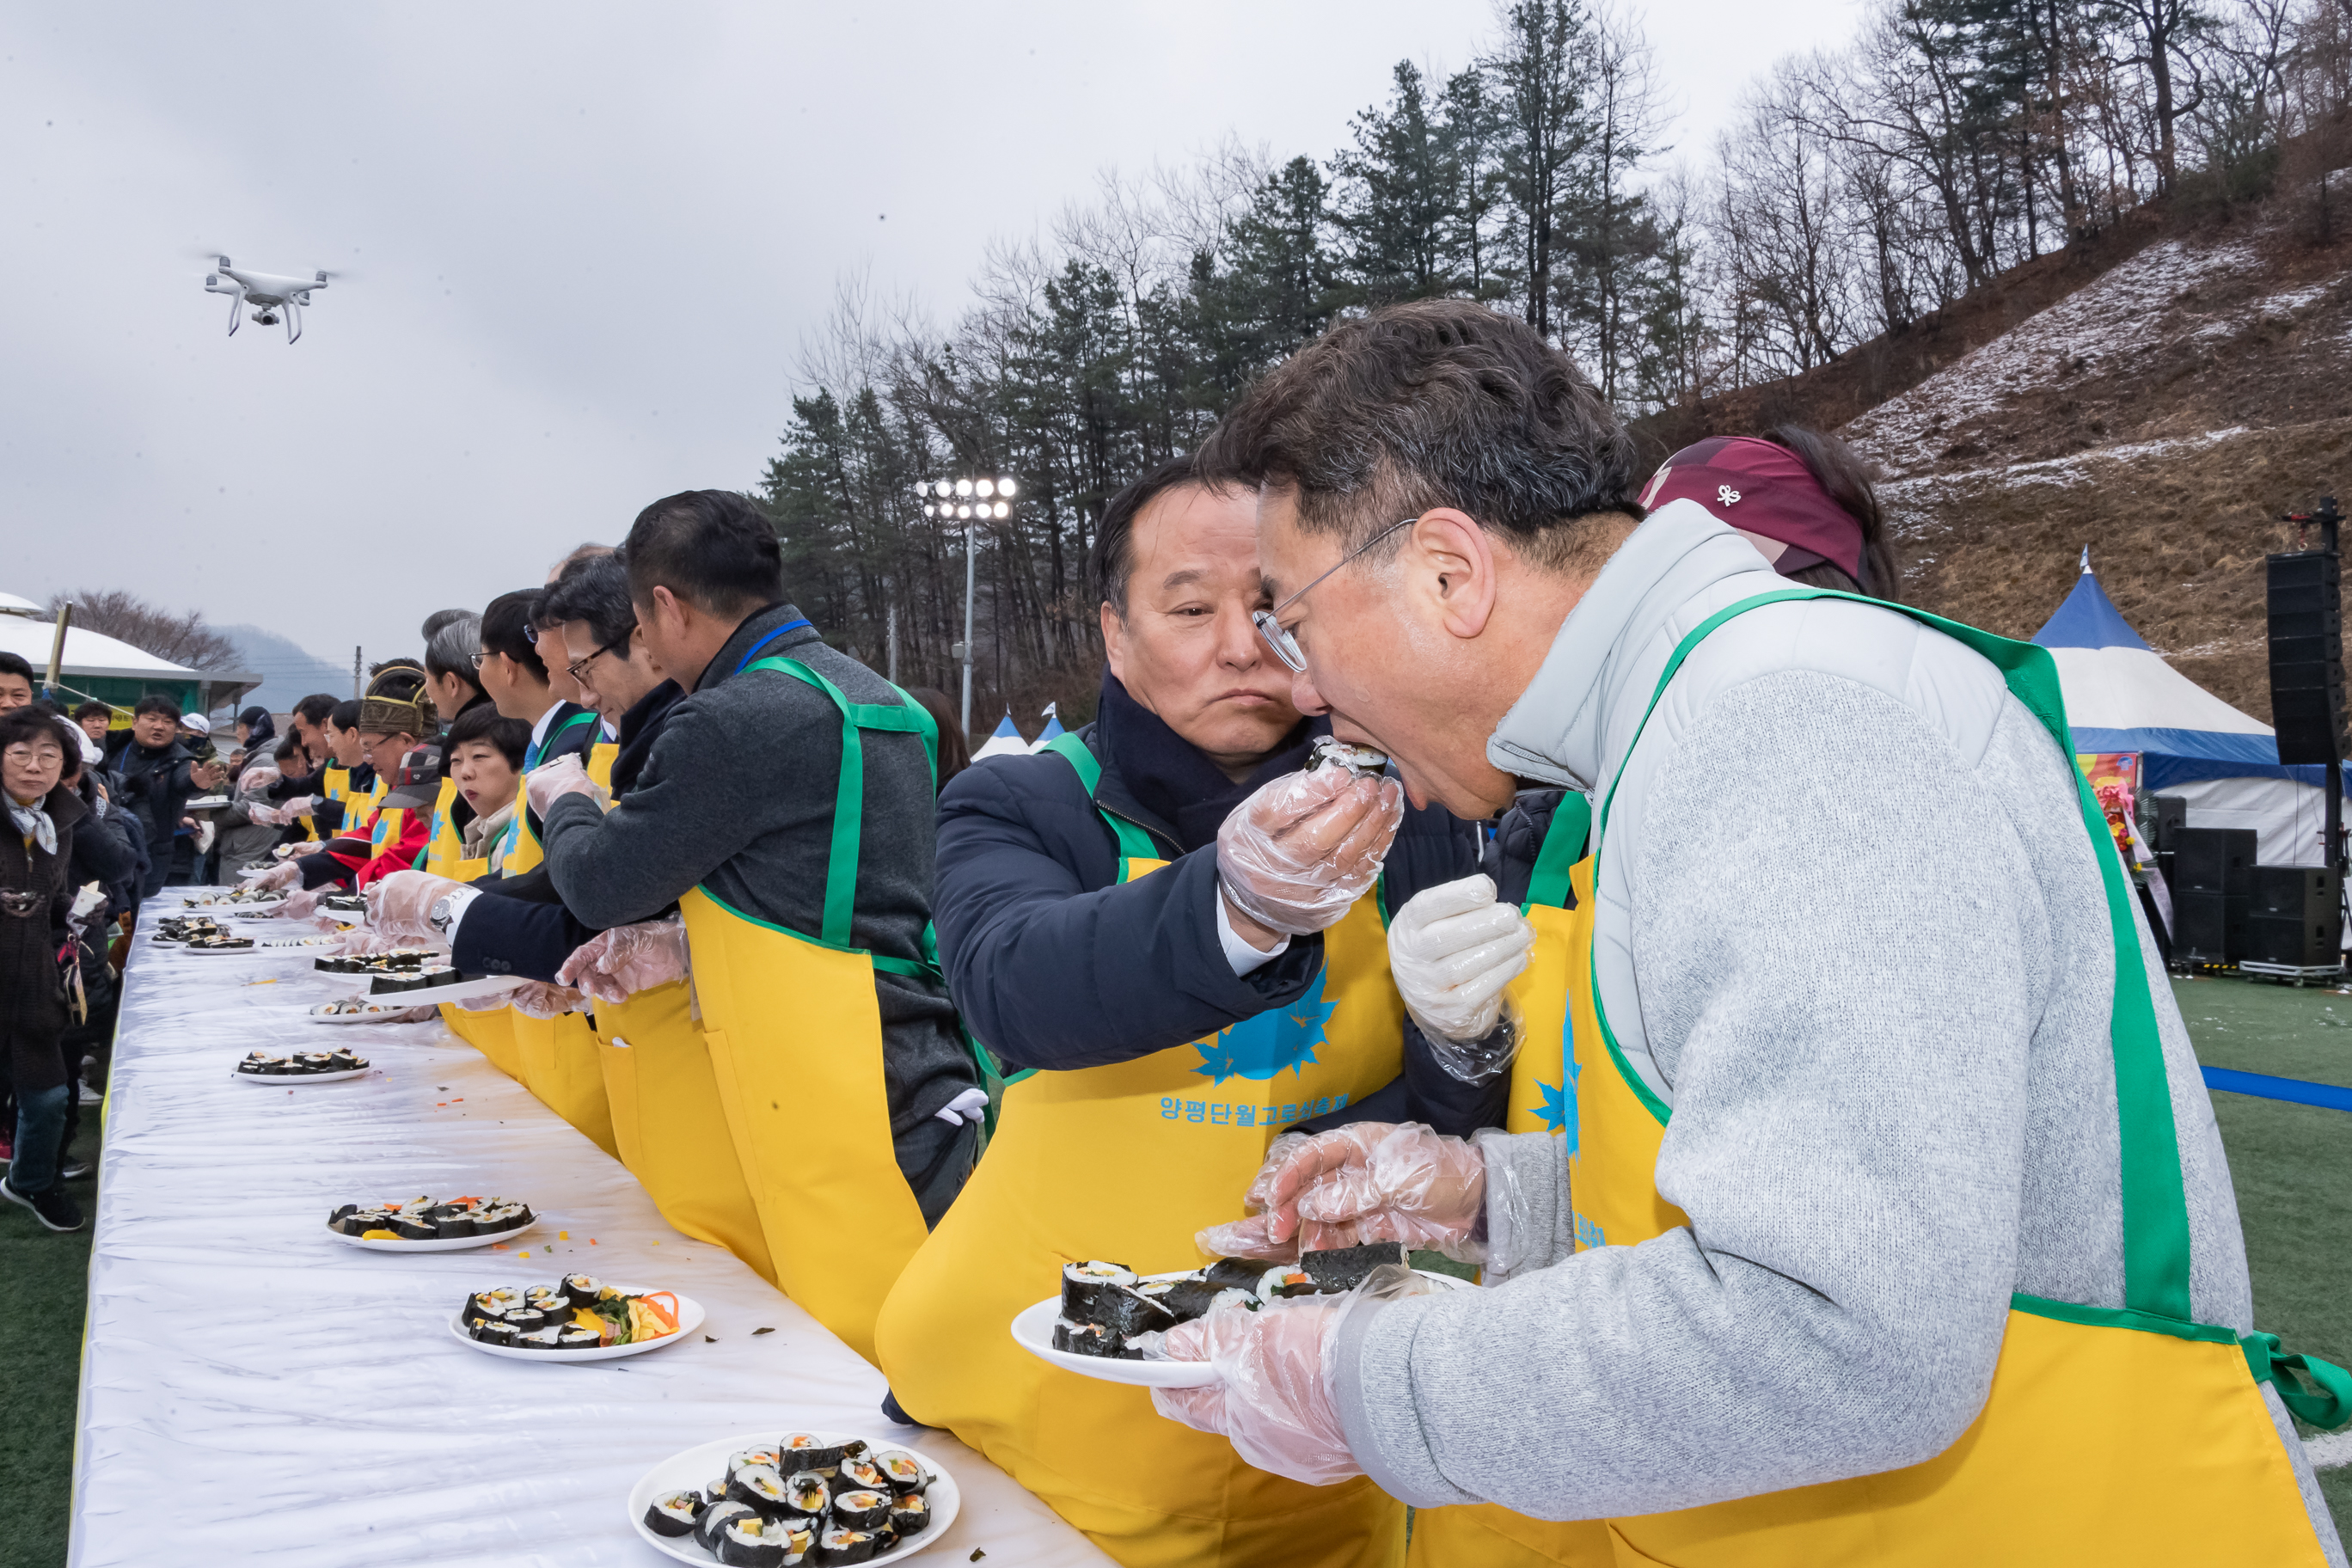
[{"x": 796, "y": 1047}]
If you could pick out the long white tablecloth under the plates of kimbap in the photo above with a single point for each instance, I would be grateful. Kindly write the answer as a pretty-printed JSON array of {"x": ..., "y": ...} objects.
[{"x": 258, "y": 1393}]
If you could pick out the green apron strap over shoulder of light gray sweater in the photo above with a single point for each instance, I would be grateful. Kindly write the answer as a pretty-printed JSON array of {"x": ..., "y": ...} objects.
[{"x": 2156, "y": 1200}]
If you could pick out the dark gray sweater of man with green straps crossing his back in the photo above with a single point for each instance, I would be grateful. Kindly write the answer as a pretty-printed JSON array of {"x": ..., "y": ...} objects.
[{"x": 737, "y": 798}]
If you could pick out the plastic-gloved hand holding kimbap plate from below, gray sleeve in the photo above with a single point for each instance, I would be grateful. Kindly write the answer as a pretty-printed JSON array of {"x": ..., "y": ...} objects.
[{"x": 1274, "y": 1400}]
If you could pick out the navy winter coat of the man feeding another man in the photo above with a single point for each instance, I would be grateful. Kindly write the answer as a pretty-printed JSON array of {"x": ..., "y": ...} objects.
[{"x": 1057, "y": 965}]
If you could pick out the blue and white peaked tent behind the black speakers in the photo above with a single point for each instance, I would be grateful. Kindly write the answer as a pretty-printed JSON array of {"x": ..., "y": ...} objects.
[{"x": 2120, "y": 697}]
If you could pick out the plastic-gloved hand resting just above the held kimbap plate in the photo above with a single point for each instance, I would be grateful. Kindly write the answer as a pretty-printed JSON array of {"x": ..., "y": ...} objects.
[{"x": 1372, "y": 1181}]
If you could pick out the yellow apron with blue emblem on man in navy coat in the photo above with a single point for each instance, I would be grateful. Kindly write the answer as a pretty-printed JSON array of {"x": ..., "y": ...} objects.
[{"x": 1128, "y": 1162}]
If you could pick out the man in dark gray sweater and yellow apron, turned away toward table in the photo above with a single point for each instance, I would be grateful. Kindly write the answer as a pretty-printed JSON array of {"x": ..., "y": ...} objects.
[{"x": 806, "y": 899}]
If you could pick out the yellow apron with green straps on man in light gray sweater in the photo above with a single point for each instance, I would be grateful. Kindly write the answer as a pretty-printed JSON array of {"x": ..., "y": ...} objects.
[{"x": 2113, "y": 1435}]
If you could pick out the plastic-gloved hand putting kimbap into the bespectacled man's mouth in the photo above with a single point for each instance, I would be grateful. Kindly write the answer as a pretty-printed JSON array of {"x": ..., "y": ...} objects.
[{"x": 1307, "y": 845}]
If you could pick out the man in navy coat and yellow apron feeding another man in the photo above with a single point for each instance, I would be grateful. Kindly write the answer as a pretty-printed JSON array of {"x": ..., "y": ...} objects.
[{"x": 1175, "y": 932}]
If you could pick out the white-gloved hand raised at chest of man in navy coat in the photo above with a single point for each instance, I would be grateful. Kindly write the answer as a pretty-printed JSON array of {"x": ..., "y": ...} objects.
[{"x": 1452, "y": 951}]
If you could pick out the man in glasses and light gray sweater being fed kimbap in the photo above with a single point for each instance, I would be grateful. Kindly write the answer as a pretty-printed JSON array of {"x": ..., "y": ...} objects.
[{"x": 1890, "y": 1221}]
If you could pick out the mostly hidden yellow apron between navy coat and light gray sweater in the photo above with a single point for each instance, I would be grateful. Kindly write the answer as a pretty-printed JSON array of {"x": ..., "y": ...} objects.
[{"x": 1546, "y": 1097}]
